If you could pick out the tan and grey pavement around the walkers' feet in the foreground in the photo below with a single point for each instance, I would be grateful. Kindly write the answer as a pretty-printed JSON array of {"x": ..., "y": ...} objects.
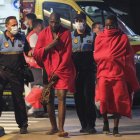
[{"x": 129, "y": 129}]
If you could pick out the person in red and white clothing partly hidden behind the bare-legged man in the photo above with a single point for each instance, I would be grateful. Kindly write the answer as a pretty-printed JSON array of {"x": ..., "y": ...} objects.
[{"x": 33, "y": 97}]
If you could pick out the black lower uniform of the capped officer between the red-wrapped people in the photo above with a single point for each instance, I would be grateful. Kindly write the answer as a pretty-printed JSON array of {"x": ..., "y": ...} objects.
[{"x": 85, "y": 92}]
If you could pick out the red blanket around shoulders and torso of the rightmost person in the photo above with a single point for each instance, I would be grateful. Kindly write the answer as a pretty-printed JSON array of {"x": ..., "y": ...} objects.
[{"x": 115, "y": 57}]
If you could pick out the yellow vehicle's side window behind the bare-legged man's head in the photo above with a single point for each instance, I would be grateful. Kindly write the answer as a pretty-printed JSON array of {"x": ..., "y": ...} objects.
[{"x": 66, "y": 12}]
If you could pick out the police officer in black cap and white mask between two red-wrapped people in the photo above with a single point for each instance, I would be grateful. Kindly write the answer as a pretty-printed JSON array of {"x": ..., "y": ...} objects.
[{"x": 82, "y": 43}]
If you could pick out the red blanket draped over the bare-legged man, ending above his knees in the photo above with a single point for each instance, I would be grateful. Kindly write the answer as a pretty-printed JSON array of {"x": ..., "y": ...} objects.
[{"x": 58, "y": 60}]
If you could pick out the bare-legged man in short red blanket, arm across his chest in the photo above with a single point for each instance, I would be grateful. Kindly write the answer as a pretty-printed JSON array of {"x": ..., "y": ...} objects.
[{"x": 53, "y": 50}]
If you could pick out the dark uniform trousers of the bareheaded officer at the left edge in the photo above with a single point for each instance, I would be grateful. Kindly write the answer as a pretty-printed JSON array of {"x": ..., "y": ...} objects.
[{"x": 16, "y": 82}]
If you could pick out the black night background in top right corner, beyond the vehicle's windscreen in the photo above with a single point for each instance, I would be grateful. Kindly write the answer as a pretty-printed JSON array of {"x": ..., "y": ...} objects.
[{"x": 132, "y": 7}]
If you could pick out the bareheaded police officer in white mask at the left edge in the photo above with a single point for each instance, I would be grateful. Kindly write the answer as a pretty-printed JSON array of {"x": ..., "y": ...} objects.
[{"x": 12, "y": 46}]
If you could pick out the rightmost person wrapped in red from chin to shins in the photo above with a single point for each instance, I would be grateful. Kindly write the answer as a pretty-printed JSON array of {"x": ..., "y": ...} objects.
[{"x": 116, "y": 76}]
